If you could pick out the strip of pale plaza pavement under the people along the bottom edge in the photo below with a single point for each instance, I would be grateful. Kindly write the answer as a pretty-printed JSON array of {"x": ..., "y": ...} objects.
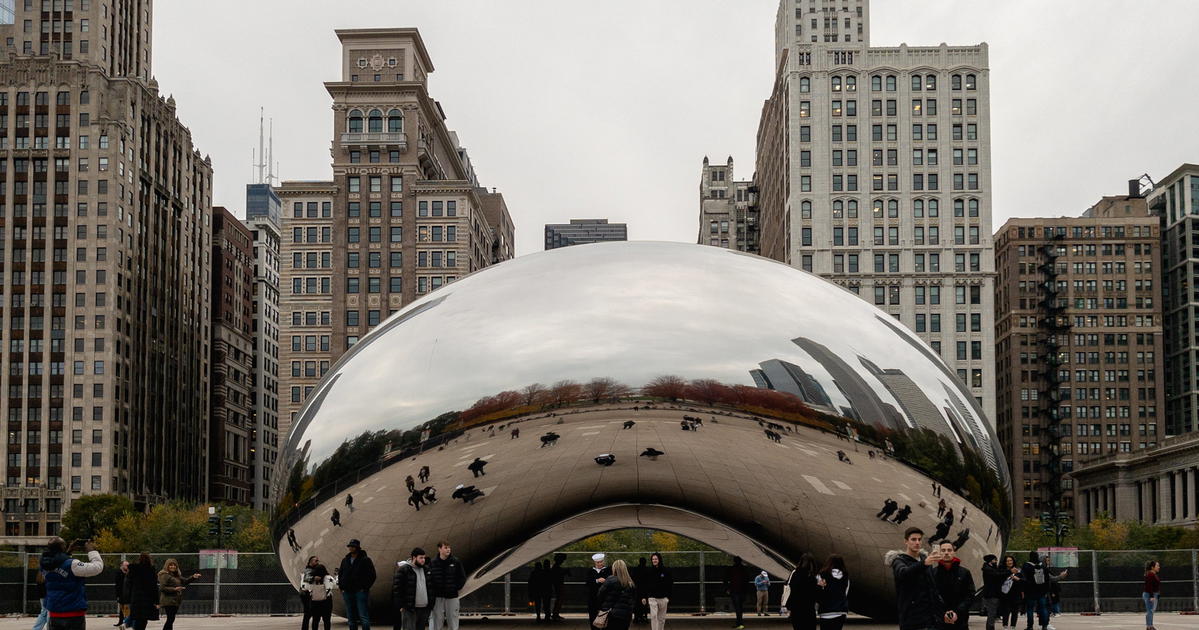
[{"x": 1068, "y": 622}]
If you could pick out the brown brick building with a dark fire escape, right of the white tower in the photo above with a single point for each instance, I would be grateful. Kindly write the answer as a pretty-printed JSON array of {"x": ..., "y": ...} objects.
[{"x": 1079, "y": 331}]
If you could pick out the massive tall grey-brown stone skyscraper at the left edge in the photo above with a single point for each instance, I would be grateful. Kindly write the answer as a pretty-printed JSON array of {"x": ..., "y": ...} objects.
[{"x": 106, "y": 243}]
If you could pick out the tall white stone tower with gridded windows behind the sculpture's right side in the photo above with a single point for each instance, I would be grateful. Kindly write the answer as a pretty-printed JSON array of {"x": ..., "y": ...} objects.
[{"x": 875, "y": 173}]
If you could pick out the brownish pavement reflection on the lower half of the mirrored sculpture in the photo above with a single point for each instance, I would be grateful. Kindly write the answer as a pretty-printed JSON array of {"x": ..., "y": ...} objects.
[{"x": 796, "y": 494}]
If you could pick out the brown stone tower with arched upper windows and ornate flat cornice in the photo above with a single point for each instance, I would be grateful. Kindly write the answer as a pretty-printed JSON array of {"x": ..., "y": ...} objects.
[{"x": 403, "y": 215}]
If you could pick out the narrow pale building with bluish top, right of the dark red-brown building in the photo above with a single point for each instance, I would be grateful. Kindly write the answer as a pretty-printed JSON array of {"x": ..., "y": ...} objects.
[{"x": 263, "y": 209}]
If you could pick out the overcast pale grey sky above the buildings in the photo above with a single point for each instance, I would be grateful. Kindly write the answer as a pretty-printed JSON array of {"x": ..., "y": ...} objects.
[{"x": 606, "y": 110}]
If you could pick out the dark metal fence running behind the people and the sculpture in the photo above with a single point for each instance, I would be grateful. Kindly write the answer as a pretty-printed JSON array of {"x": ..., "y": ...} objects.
[{"x": 1105, "y": 581}]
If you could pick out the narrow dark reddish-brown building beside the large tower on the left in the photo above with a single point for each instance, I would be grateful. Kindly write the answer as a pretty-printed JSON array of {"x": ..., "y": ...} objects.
[{"x": 231, "y": 479}]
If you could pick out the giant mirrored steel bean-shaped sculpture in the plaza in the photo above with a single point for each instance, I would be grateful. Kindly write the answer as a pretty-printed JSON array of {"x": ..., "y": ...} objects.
[{"x": 746, "y": 404}]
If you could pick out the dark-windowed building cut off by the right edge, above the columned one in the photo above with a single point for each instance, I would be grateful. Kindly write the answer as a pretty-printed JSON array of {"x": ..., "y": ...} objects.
[{"x": 1176, "y": 201}]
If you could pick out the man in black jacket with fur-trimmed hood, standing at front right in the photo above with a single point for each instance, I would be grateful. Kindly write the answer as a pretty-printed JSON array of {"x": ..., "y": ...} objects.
[{"x": 919, "y": 603}]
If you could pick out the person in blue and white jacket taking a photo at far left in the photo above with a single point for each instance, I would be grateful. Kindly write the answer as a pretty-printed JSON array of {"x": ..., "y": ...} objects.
[{"x": 67, "y": 602}]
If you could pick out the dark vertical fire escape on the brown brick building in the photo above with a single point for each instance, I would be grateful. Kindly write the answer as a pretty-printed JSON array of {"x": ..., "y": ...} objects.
[{"x": 1055, "y": 335}]
